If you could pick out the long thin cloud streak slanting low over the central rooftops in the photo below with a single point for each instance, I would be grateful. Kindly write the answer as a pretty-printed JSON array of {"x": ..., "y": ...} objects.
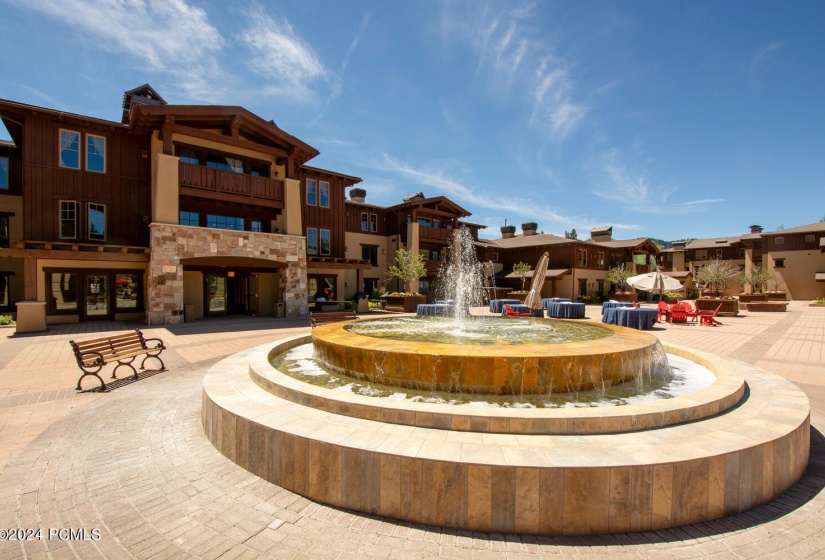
[{"x": 463, "y": 194}]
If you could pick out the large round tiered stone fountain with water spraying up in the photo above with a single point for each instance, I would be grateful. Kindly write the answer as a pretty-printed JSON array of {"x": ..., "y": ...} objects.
[{"x": 723, "y": 449}]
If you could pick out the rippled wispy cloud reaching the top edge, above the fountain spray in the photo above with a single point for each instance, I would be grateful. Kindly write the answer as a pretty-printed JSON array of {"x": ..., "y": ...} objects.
[{"x": 516, "y": 60}]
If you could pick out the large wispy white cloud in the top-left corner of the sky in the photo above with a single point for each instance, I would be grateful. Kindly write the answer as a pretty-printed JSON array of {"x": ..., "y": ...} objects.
[{"x": 169, "y": 36}]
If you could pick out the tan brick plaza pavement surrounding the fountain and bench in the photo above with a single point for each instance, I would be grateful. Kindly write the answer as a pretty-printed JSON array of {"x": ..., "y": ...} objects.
[{"x": 133, "y": 464}]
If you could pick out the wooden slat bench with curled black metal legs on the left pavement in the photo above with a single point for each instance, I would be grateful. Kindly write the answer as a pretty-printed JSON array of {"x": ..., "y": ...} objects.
[{"x": 92, "y": 355}]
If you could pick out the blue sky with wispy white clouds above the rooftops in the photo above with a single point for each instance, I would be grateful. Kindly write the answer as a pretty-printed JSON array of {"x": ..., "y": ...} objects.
[{"x": 664, "y": 119}]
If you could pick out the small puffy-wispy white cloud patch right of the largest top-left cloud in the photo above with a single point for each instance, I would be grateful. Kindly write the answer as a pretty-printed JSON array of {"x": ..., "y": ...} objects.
[{"x": 281, "y": 56}]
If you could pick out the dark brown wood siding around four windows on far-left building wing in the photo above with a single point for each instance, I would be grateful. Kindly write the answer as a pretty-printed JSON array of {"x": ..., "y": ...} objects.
[{"x": 124, "y": 187}]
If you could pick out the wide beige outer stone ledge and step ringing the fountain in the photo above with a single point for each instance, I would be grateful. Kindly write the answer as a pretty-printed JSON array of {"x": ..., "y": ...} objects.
[{"x": 510, "y": 480}]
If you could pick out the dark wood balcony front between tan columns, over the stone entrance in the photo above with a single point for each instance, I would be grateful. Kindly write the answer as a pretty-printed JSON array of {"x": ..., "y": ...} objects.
[{"x": 207, "y": 182}]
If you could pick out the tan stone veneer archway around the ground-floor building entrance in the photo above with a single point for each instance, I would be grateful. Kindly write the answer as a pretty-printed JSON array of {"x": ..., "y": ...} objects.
[{"x": 170, "y": 243}]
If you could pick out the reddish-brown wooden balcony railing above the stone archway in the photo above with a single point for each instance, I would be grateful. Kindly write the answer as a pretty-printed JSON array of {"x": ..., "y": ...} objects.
[{"x": 229, "y": 182}]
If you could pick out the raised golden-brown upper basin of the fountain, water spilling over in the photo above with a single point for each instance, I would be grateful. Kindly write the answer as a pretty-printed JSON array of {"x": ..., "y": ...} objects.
[{"x": 614, "y": 354}]
